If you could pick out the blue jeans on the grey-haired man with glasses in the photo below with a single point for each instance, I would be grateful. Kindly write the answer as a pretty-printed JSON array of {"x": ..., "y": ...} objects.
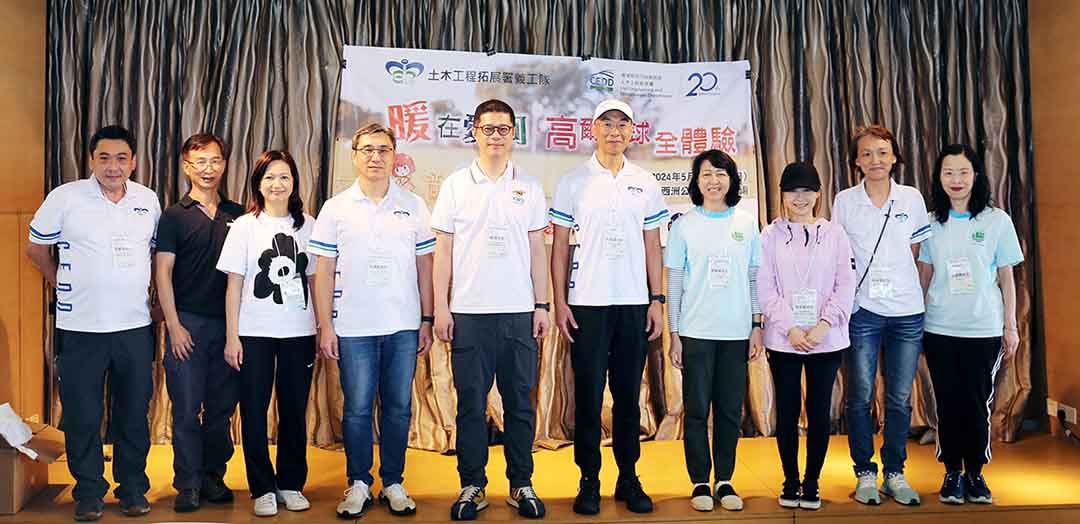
[{"x": 385, "y": 364}]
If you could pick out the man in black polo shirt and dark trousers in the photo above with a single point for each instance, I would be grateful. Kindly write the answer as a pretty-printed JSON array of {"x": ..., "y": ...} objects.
[{"x": 192, "y": 293}]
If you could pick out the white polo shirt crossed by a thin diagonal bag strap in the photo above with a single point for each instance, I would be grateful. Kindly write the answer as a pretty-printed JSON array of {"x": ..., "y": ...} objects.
[{"x": 892, "y": 287}]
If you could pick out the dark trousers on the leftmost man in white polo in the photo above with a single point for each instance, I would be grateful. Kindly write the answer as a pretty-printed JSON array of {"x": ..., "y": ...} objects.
[{"x": 85, "y": 360}]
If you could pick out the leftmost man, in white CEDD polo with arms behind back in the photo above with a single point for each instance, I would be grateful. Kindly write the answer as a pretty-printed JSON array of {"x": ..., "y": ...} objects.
[{"x": 104, "y": 231}]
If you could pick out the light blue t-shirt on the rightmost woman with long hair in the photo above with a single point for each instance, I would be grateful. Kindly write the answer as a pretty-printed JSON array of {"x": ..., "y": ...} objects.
[{"x": 969, "y": 307}]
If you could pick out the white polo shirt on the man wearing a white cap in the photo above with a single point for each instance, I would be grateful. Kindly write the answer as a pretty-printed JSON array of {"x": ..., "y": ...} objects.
[{"x": 609, "y": 216}]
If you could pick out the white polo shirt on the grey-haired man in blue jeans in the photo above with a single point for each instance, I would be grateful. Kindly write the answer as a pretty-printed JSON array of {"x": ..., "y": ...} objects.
[{"x": 376, "y": 246}]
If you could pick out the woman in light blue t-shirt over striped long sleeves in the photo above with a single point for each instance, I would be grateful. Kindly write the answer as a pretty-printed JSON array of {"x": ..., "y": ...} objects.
[{"x": 713, "y": 254}]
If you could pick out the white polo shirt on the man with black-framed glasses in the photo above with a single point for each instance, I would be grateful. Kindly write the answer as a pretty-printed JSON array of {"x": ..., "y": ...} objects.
[{"x": 491, "y": 223}]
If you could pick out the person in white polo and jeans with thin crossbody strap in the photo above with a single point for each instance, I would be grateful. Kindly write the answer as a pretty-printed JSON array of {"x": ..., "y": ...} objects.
[{"x": 886, "y": 222}]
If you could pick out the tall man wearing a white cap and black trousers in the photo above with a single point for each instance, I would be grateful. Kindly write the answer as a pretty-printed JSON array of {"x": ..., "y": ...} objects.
[{"x": 615, "y": 303}]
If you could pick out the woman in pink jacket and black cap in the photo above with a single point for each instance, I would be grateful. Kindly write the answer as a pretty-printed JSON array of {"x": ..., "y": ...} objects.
[{"x": 806, "y": 287}]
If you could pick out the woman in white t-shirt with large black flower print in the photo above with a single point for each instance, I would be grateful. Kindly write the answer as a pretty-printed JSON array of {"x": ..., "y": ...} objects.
[{"x": 272, "y": 329}]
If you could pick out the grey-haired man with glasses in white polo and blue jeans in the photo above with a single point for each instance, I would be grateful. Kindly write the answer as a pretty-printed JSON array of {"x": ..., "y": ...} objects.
[{"x": 373, "y": 292}]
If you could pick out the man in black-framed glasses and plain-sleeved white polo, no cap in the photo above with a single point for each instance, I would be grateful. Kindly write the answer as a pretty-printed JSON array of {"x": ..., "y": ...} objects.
[{"x": 492, "y": 305}]
